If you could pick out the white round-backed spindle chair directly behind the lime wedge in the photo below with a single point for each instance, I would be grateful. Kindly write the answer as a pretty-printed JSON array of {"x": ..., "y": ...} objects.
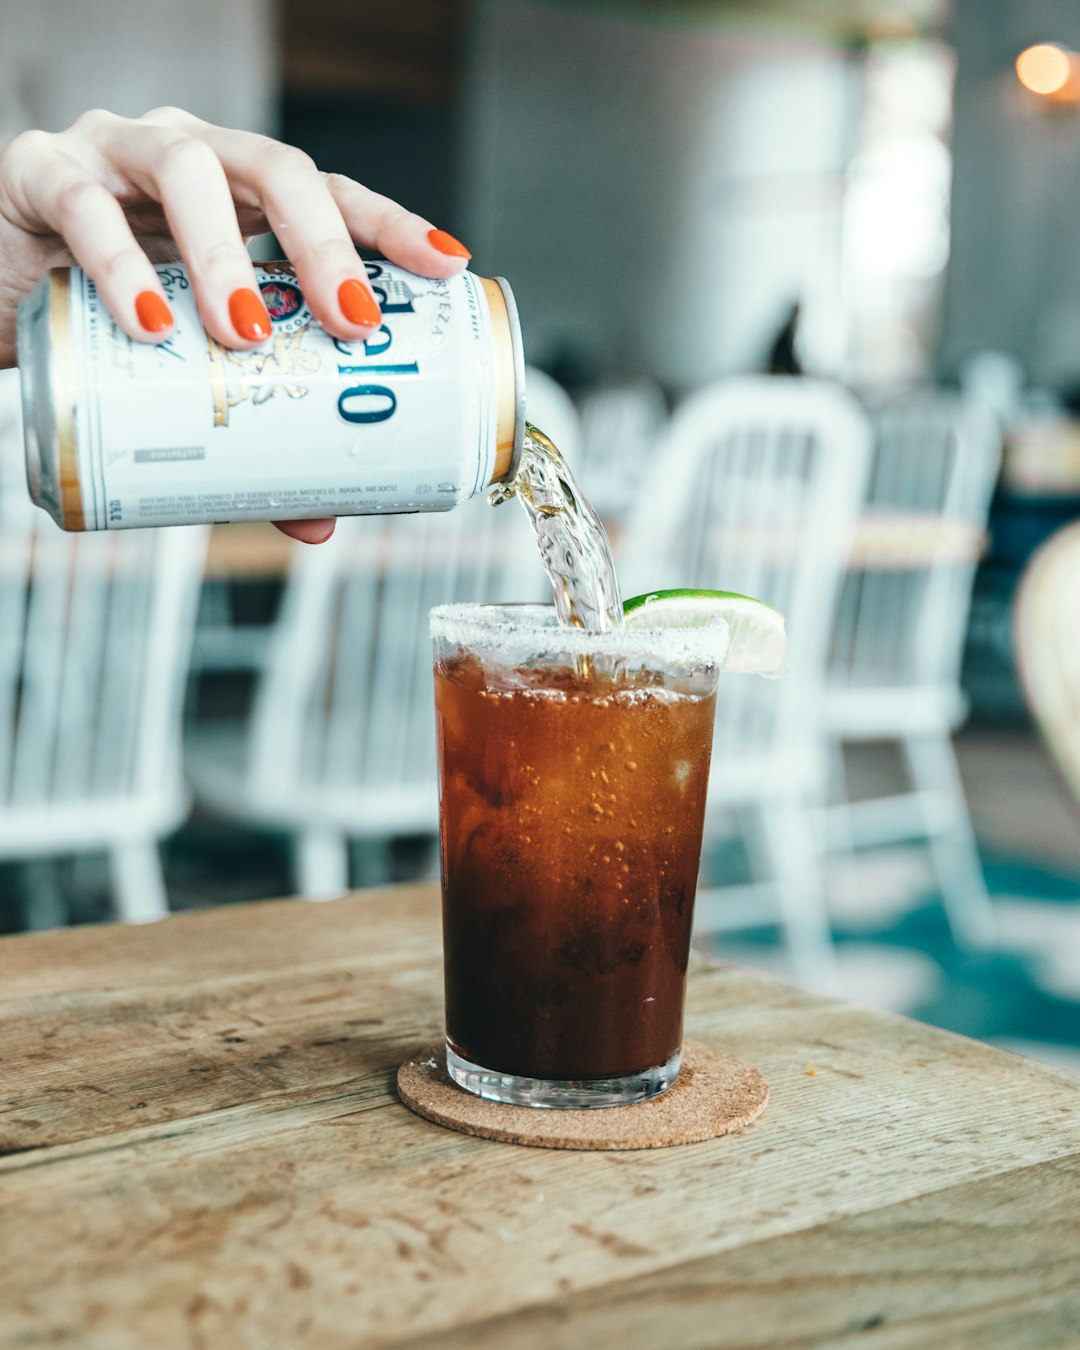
[{"x": 754, "y": 489}]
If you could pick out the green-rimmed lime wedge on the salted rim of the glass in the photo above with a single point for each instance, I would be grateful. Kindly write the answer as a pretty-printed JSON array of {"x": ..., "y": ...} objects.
[{"x": 758, "y": 641}]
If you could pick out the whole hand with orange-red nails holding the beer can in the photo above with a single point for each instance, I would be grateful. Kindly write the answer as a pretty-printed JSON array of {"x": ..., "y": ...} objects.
[{"x": 117, "y": 195}]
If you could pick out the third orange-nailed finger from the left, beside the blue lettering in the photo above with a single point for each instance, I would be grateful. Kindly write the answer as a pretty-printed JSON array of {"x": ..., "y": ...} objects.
[{"x": 308, "y": 225}]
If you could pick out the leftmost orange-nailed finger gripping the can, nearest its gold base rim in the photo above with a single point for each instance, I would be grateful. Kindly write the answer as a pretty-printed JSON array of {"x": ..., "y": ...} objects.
[{"x": 59, "y": 195}]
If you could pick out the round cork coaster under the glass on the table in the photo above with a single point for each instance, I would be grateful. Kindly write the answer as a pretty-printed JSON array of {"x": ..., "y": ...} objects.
[{"x": 715, "y": 1094}]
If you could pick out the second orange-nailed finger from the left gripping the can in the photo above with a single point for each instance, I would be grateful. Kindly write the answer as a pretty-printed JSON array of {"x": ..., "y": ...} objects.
[{"x": 187, "y": 178}]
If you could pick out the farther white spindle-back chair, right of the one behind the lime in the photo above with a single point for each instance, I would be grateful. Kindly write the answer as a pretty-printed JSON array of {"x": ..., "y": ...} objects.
[{"x": 894, "y": 666}]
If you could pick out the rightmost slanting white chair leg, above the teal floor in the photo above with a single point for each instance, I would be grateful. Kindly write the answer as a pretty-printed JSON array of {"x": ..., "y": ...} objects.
[{"x": 954, "y": 851}]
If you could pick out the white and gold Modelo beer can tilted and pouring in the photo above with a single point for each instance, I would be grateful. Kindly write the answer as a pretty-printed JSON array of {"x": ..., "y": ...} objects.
[{"x": 121, "y": 434}]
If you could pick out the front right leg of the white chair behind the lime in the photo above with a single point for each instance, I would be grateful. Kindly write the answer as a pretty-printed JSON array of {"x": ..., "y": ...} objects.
[{"x": 797, "y": 869}]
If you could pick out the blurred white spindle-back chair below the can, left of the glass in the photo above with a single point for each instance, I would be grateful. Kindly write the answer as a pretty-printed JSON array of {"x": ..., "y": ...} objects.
[{"x": 342, "y": 740}]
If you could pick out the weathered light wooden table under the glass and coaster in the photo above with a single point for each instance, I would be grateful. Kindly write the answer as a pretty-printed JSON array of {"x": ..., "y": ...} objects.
[{"x": 203, "y": 1148}]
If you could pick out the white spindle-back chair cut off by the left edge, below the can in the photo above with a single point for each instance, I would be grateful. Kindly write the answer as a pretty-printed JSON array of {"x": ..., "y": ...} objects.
[{"x": 95, "y": 638}]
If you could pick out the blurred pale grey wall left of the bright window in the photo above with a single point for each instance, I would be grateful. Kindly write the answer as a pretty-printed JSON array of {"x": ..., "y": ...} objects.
[{"x": 657, "y": 194}]
